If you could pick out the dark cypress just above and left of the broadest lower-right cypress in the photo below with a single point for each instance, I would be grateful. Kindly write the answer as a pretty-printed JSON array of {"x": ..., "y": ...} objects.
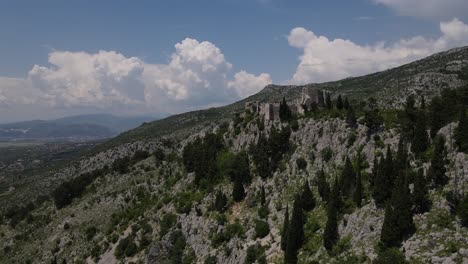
[{"x": 384, "y": 180}]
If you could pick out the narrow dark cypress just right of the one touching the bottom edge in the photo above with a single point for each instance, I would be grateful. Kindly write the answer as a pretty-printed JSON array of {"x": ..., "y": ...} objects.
[{"x": 330, "y": 235}]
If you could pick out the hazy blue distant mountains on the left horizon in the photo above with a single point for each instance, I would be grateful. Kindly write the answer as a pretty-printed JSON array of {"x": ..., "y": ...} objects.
[{"x": 80, "y": 127}]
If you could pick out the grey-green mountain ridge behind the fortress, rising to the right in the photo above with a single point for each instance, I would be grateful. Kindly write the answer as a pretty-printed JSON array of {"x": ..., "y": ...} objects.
[{"x": 447, "y": 69}]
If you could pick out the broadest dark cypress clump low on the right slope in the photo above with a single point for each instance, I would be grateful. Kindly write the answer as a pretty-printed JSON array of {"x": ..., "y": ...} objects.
[{"x": 398, "y": 222}]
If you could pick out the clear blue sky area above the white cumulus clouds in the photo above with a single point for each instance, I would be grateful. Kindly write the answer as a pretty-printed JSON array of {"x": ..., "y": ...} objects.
[{"x": 252, "y": 34}]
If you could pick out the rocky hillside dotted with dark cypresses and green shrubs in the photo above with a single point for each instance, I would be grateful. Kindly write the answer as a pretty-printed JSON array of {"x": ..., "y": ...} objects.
[{"x": 213, "y": 187}]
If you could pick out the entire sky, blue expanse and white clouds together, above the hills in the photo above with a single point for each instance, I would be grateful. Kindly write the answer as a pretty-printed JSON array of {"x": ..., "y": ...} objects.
[{"x": 125, "y": 51}]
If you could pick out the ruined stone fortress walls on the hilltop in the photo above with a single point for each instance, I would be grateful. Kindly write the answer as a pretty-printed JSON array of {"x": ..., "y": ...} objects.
[{"x": 310, "y": 98}]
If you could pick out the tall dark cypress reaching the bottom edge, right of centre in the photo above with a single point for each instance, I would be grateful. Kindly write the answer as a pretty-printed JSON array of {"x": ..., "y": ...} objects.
[{"x": 295, "y": 233}]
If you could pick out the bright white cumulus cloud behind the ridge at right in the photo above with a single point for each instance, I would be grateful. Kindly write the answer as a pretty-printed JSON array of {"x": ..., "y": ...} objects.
[{"x": 326, "y": 59}]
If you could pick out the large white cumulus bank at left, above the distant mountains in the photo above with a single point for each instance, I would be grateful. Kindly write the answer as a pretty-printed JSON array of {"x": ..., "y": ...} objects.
[{"x": 196, "y": 76}]
